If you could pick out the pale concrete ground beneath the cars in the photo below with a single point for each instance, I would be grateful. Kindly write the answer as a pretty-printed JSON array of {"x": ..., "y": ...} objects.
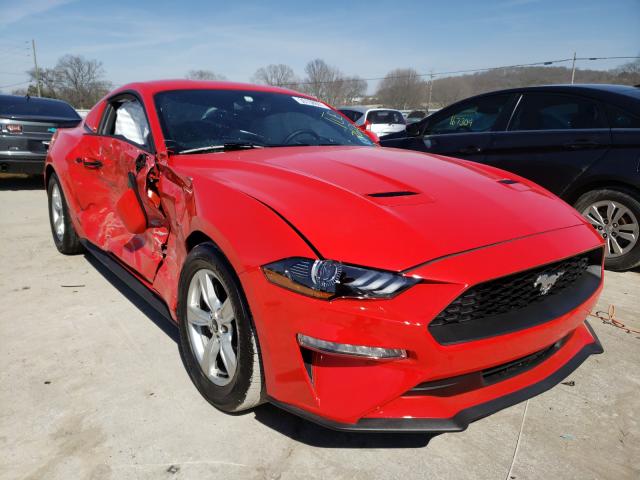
[{"x": 91, "y": 387}]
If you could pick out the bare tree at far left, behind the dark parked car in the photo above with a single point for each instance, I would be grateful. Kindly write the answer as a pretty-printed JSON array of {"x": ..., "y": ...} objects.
[{"x": 74, "y": 79}]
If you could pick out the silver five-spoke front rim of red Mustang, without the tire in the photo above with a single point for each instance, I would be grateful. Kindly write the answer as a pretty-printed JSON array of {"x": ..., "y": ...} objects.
[{"x": 212, "y": 327}]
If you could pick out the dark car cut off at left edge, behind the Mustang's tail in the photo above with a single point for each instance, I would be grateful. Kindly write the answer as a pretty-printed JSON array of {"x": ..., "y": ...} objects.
[{"x": 26, "y": 126}]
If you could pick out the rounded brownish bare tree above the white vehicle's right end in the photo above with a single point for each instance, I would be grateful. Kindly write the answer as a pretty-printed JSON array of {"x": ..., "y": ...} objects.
[{"x": 402, "y": 88}]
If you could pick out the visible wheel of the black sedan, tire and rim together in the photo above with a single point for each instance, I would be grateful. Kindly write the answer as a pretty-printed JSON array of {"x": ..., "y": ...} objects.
[{"x": 622, "y": 251}]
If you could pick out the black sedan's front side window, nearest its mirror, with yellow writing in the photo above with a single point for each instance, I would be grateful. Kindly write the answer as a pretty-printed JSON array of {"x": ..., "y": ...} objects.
[{"x": 479, "y": 115}]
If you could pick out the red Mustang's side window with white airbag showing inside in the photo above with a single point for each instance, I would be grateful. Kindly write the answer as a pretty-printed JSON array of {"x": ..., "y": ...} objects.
[{"x": 126, "y": 119}]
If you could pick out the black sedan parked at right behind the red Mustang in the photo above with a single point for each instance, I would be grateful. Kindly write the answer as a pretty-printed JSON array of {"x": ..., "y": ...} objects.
[{"x": 582, "y": 142}]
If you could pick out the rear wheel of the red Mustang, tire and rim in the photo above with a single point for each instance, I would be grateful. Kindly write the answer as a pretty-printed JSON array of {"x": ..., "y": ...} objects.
[{"x": 64, "y": 234}]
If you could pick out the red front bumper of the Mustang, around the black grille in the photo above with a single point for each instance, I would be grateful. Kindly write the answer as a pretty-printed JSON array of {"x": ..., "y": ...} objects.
[{"x": 368, "y": 395}]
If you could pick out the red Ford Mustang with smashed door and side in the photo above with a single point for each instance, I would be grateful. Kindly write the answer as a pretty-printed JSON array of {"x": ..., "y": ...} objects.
[{"x": 360, "y": 287}]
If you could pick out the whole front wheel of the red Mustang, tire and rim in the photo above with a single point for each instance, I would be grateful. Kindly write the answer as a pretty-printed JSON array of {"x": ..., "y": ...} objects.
[{"x": 230, "y": 393}]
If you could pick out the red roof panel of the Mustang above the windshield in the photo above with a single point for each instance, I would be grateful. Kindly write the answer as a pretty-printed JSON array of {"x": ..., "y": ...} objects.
[{"x": 156, "y": 86}]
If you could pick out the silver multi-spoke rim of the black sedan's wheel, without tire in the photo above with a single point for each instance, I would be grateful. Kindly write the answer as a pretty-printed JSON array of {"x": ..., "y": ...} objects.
[{"x": 616, "y": 224}]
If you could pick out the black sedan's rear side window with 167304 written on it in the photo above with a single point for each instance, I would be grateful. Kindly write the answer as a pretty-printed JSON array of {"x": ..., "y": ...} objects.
[{"x": 542, "y": 111}]
